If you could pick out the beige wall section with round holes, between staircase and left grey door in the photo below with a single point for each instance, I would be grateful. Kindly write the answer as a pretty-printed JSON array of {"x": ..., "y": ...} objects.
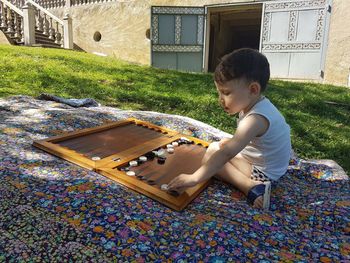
[{"x": 123, "y": 26}]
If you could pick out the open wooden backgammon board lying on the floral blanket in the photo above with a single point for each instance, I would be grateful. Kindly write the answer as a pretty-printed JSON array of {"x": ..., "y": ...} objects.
[{"x": 109, "y": 148}]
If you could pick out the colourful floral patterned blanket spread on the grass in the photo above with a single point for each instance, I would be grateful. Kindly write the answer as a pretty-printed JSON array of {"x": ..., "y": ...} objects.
[{"x": 54, "y": 211}]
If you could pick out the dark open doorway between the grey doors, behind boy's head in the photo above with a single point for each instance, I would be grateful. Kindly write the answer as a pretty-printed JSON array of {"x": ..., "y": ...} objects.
[{"x": 231, "y": 29}]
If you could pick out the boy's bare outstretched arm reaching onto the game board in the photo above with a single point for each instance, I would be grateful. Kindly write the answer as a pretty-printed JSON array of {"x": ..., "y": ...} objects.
[{"x": 252, "y": 126}]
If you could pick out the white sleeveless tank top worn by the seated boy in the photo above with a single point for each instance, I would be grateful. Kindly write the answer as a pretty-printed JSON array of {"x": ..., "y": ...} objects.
[{"x": 270, "y": 153}]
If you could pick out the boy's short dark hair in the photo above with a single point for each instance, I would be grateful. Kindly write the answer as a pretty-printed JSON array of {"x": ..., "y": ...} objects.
[{"x": 244, "y": 63}]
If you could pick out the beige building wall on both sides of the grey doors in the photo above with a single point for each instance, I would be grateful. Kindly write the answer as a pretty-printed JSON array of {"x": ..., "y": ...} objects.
[{"x": 123, "y": 27}]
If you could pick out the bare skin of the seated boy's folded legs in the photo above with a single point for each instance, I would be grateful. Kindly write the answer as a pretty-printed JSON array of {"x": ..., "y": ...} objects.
[{"x": 238, "y": 177}]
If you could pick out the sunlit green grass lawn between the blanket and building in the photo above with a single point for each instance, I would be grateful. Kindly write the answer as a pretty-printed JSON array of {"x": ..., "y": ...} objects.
[{"x": 319, "y": 130}]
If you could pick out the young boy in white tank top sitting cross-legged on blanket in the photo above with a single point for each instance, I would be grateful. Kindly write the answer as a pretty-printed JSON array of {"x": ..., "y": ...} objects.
[{"x": 260, "y": 149}]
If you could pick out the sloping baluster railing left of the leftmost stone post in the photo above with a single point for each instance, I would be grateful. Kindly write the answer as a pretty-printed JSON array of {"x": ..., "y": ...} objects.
[{"x": 11, "y": 20}]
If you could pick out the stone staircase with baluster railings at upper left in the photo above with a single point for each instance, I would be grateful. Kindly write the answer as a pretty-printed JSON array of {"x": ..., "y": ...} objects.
[{"x": 31, "y": 25}]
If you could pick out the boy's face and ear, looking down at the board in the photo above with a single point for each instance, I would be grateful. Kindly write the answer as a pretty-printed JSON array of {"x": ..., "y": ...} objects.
[{"x": 236, "y": 95}]
